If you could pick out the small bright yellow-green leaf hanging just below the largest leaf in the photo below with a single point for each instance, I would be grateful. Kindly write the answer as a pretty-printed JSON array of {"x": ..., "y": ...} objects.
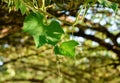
[{"x": 66, "y": 48}]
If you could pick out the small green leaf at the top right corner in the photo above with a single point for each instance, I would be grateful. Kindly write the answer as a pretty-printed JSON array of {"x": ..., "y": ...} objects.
[{"x": 109, "y": 4}]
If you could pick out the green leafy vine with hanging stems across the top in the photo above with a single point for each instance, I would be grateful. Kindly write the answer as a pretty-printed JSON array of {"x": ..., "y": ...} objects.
[{"x": 45, "y": 27}]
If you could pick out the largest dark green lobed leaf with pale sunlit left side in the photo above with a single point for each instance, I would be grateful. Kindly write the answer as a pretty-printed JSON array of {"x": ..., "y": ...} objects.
[{"x": 41, "y": 32}]
